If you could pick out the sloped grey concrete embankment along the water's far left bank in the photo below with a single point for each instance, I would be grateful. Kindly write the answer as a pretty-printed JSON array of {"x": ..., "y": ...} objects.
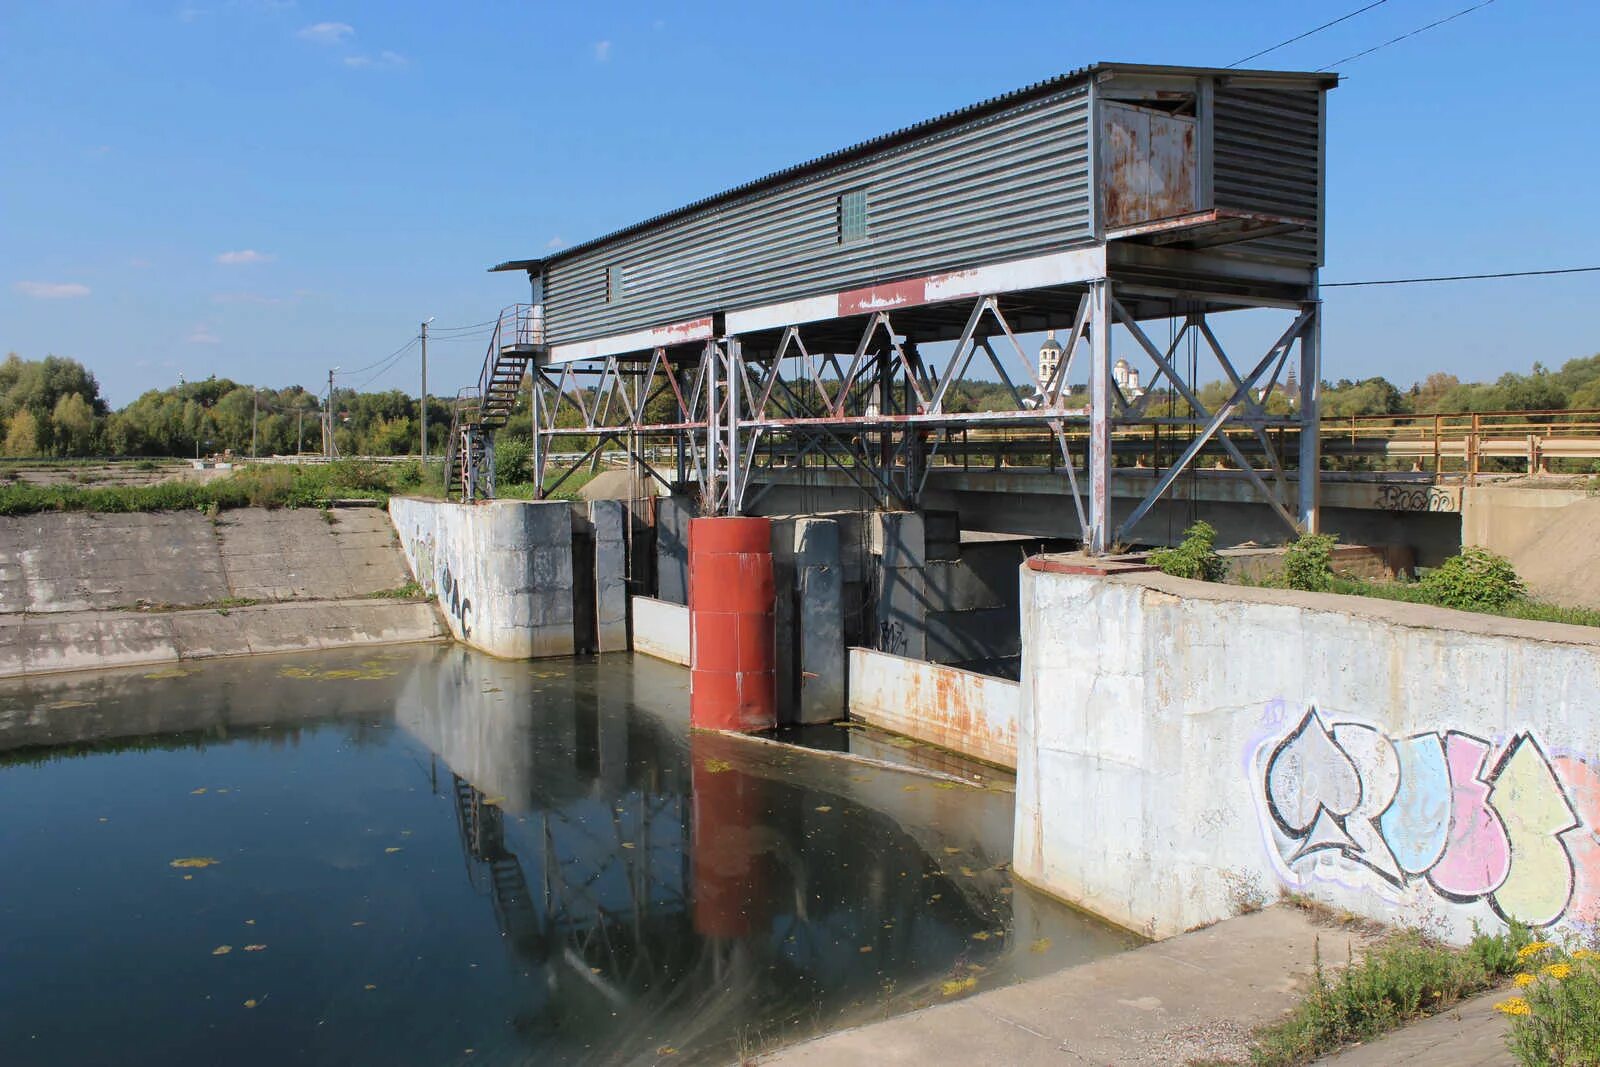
[{"x": 82, "y": 591}]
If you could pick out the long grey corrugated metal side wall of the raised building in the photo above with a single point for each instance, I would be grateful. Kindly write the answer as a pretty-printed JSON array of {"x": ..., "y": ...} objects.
[{"x": 1006, "y": 186}]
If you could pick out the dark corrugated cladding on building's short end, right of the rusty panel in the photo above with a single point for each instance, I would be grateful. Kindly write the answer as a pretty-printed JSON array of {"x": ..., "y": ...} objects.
[{"x": 1266, "y": 158}]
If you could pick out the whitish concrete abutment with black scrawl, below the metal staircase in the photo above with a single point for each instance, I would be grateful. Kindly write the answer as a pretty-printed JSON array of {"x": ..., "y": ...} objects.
[{"x": 503, "y": 570}]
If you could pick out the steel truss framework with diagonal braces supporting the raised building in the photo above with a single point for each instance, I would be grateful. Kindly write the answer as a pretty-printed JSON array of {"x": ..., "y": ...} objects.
[{"x": 726, "y": 410}]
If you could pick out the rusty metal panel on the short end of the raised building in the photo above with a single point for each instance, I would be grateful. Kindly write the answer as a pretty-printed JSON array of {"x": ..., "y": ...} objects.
[{"x": 1148, "y": 166}]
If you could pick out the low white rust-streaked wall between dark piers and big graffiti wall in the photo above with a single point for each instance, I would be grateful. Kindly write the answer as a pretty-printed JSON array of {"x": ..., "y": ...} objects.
[{"x": 954, "y": 709}]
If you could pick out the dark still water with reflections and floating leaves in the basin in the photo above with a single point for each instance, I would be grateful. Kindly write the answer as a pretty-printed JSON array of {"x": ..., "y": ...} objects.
[{"x": 430, "y": 857}]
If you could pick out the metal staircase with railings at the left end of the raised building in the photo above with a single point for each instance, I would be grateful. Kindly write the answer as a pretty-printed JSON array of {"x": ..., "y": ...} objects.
[{"x": 484, "y": 409}]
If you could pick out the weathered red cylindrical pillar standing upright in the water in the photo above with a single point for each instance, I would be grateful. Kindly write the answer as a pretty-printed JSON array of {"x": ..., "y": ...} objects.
[{"x": 732, "y": 645}]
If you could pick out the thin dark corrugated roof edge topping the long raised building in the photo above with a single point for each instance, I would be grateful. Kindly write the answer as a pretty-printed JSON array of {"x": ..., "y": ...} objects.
[{"x": 906, "y": 134}]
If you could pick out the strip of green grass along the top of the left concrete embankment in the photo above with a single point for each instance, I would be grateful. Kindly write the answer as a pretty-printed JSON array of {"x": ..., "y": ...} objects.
[{"x": 252, "y": 487}]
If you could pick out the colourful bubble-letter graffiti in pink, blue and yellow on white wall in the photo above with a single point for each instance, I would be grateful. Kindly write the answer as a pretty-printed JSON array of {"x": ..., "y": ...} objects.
[{"x": 1444, "y": 812}]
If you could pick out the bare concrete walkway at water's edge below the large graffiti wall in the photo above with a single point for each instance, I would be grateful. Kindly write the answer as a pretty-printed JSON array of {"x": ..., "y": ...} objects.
[{"x": 1191, "y": 997}]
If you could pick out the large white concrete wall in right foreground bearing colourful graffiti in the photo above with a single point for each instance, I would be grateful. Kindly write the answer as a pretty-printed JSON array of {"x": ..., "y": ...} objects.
[{"x": 1190, "y": 749}]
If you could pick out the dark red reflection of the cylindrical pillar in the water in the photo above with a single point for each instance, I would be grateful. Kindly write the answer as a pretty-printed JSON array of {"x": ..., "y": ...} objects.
[{"x": 724, "y": 853}]
